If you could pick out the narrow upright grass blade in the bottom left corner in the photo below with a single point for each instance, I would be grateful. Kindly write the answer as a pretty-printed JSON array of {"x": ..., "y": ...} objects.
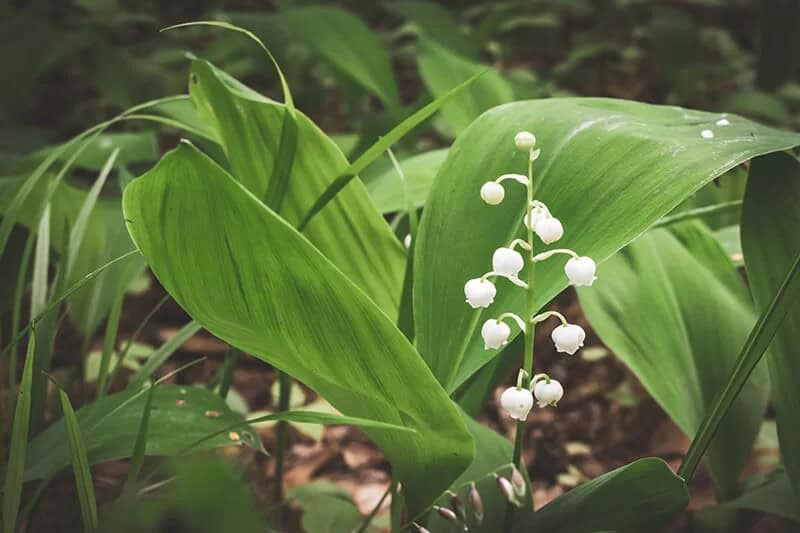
[{"x": 19, "y": 443}]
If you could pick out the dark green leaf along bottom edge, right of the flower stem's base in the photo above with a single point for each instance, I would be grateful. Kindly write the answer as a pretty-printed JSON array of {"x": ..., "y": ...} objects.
[{"x": 640, "y": 496}]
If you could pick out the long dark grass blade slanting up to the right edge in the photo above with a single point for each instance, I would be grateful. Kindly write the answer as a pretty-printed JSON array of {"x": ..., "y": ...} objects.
[{"x": 752, "y": 351}]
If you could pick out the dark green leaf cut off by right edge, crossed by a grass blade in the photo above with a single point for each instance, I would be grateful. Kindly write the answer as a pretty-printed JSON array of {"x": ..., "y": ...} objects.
[{"x": 771, "y": 242}]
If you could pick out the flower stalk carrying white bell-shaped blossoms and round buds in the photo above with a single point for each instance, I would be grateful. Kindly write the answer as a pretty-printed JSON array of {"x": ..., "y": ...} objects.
[{"x": 509, "y": 263}]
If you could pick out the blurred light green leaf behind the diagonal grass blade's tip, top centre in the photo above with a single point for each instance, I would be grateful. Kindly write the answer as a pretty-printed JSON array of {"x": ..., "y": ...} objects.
[{"x": 439, "y": 67}]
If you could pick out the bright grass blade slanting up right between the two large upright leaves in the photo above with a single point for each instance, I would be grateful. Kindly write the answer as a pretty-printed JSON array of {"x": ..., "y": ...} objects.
[{"x": 374, "y": 151}]
